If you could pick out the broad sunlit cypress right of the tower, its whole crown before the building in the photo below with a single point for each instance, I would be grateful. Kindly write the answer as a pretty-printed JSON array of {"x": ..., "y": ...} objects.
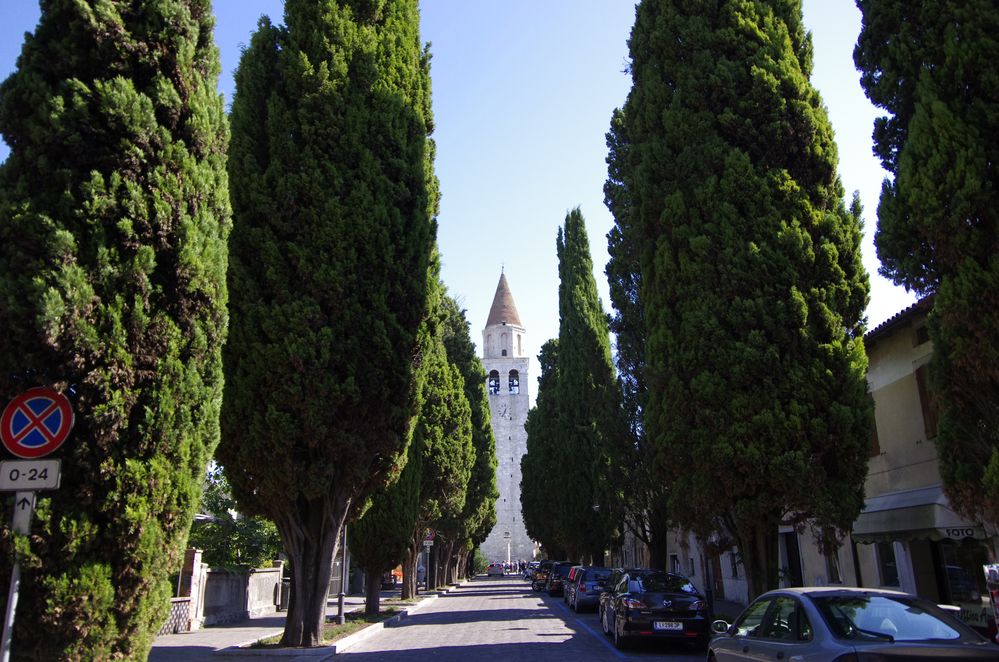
[{"x": 752, "y": 282}]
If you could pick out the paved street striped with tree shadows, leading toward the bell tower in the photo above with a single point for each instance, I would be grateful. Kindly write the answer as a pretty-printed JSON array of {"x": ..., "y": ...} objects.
[{"x": 501, "y": 619}]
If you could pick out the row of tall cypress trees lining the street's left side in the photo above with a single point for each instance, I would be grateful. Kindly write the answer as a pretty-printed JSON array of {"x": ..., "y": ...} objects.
[{"x": 121, "y": 279}]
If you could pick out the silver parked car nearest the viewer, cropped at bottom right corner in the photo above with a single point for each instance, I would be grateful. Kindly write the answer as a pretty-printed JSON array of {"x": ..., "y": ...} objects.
[{"x": 823, "y": 623}]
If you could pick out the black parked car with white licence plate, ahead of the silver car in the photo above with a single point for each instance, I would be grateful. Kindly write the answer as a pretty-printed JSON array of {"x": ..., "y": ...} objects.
[{"x": 654, "y": 604}]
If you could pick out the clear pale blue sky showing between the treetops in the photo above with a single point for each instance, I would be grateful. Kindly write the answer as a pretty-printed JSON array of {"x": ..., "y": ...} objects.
[{"x": 523, "y": 93}]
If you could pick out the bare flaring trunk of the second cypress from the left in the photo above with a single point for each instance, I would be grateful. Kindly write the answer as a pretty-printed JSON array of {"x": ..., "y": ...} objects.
[{"x": 311, "y": 537}]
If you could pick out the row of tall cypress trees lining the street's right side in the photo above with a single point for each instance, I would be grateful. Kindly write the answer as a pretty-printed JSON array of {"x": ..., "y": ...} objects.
[{"x": 738, "y": 287}]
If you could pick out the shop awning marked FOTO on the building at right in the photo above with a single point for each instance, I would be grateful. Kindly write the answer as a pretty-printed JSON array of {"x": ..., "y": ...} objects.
[{"x": 920, "y": 514}]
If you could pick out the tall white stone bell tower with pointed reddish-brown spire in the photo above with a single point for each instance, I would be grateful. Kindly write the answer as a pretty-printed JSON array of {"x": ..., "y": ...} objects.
[{"x": 505, "y": 360}]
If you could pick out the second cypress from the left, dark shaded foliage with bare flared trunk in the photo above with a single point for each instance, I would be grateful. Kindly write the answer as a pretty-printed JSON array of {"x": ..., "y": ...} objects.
[{"x": 333, "y": 203}]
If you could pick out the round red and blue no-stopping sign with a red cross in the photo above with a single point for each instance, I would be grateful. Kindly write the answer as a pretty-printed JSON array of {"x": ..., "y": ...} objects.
[{"x": 36, "y": 422}]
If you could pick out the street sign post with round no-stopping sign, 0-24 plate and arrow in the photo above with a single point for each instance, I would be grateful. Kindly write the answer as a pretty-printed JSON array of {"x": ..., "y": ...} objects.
[{"x": 33, "y": 425}]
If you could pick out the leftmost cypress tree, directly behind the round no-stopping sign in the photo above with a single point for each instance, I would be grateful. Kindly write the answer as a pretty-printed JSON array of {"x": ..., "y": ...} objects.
[{"x": 114, "y": 214}]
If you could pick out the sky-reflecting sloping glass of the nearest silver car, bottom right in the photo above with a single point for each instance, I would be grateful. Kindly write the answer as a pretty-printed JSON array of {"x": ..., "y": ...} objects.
[{"x": 883, "y": 617}]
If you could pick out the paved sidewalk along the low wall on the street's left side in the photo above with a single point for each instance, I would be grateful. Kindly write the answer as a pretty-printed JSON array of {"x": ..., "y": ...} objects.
[{"x": 201, "y": 645}]
